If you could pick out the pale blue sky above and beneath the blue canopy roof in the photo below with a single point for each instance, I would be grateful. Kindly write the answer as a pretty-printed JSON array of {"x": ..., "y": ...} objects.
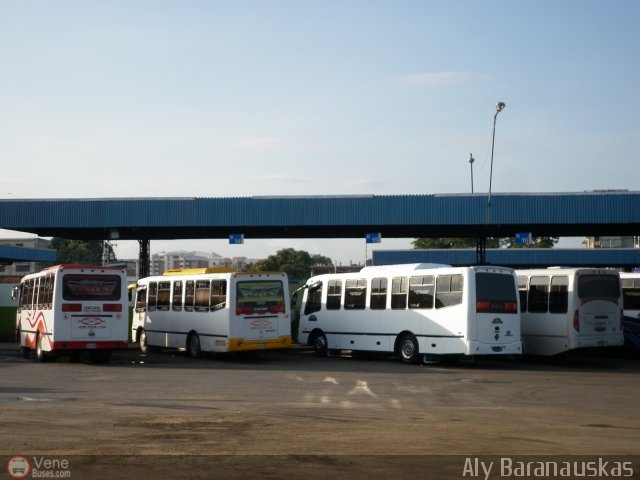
[{"x": 241, "y": 98}]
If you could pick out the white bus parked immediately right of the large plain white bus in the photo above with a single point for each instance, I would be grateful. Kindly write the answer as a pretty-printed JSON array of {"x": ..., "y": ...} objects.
[{"x": 569, "y": 308}]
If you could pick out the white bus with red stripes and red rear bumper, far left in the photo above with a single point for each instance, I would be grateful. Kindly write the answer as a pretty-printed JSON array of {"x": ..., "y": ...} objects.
[{"x": 71, "y": 308}]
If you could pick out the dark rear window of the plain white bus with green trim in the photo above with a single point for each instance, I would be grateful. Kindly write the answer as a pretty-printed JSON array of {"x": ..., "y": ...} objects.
[{"x": 496, "y": 293}]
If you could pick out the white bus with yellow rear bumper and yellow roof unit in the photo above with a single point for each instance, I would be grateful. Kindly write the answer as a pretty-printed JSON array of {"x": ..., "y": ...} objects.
[{"x": 212, "y": 310}]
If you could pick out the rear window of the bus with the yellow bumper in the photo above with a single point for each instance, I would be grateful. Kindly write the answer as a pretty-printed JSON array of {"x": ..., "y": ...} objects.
[{"x": 257, "y": 297}]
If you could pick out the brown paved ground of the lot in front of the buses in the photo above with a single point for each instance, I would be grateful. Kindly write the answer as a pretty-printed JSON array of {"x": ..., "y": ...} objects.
[{"x": 292, "y": 415}]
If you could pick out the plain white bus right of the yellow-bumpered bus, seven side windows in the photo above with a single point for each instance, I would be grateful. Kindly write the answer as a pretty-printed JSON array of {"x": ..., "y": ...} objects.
[{"x": 419, "y": 311}]
